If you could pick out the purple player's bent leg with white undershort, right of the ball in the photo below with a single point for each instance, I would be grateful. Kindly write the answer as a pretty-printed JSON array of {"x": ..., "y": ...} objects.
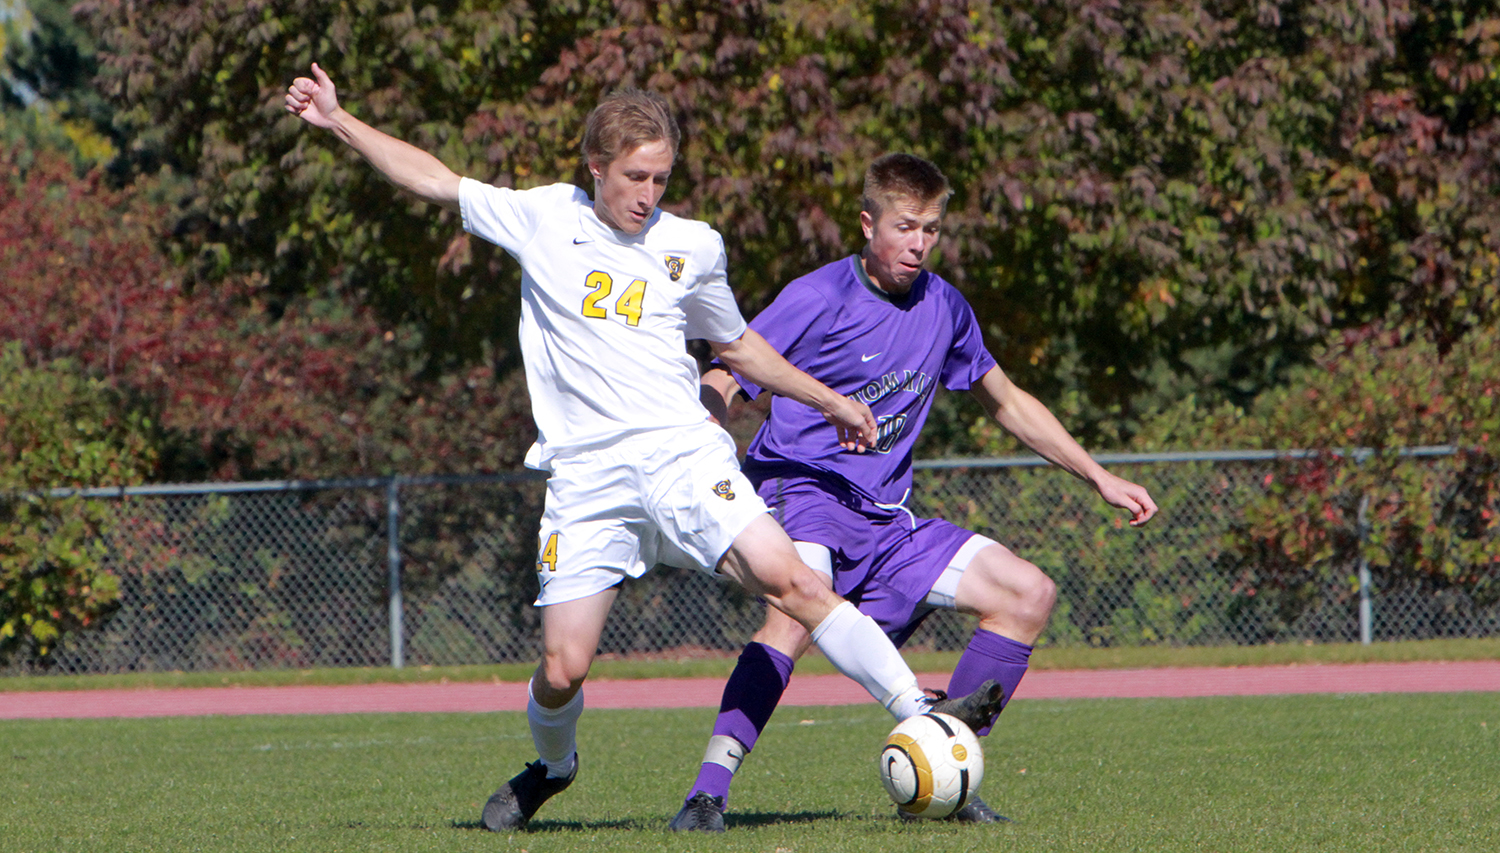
[{"x": 1013, "y": 600}]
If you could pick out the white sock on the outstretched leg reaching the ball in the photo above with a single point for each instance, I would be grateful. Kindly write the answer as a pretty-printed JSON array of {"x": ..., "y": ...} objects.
[{"x": 860, "y": 650}]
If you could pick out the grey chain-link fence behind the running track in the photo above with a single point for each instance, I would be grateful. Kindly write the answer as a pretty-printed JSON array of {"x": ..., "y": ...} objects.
[{"x": 301, "y": 575}]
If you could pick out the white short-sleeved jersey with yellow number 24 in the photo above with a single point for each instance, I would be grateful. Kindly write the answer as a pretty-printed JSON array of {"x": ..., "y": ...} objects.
[{"x": 605, "y": 316}]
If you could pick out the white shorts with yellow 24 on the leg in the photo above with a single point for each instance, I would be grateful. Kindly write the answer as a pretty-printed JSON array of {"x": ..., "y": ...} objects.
[{"x": 664, "y": 497}]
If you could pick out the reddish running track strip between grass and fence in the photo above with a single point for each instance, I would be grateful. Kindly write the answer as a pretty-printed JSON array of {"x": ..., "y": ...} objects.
[{"x": 1459, "y": 677}]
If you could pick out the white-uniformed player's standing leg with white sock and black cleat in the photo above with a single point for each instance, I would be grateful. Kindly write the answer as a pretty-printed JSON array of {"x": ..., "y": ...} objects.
[{"x": 571, "y": 632}]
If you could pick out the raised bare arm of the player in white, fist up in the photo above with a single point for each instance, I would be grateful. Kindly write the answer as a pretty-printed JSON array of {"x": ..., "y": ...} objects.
[{"x": 316, "y": 101}]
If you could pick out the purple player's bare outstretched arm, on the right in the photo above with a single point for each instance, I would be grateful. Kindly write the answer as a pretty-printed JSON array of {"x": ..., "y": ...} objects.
[{"x": 1025, "y": 418}]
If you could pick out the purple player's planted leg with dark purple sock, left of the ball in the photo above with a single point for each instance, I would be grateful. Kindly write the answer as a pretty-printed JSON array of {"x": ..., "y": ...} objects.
[{"x": 751, "y": 696}]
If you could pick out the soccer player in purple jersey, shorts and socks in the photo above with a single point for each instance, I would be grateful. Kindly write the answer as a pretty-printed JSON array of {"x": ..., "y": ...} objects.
[{"x": 886, "y": 332}]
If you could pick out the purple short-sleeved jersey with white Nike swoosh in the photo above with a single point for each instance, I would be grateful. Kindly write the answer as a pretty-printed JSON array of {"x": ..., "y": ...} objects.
[{"x": 889, "y": 353}]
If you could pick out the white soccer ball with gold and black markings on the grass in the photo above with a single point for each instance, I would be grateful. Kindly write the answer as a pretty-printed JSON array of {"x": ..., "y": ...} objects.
[{"x": 932, "y": 765}]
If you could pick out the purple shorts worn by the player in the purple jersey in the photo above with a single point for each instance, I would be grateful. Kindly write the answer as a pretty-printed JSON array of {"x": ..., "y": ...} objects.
[{"x": 884, "y": 560}]
